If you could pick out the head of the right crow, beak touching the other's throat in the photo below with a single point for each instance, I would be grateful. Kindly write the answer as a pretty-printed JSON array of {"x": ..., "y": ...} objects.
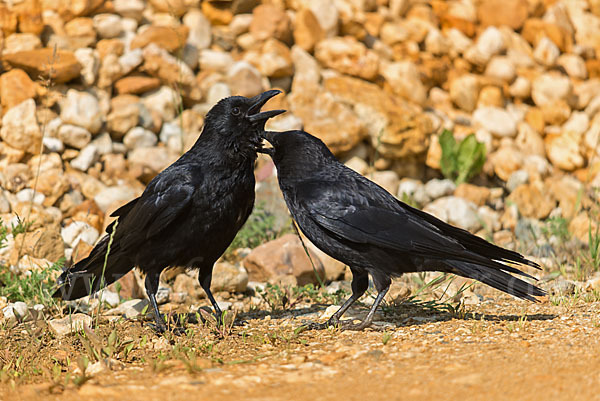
[{"x": 297, "y": 151}]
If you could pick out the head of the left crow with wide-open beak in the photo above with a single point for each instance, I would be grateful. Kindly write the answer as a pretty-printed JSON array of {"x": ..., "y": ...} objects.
[{"x": 236, "y": 122}]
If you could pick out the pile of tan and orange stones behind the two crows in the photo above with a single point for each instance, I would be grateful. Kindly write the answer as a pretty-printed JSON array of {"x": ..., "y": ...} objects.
[{"x": 99, "y": 96}]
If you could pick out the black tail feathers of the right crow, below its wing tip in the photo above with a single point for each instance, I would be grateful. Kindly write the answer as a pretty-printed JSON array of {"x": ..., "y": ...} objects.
[{"x": 498, "y": 279}]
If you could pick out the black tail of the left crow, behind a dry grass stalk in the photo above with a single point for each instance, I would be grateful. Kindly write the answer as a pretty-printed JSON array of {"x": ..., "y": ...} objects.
[{"x": 90, "y": 274}]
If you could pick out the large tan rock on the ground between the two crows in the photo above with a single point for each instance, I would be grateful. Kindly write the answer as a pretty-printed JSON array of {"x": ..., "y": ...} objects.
[{"x": 282, "y": 257}]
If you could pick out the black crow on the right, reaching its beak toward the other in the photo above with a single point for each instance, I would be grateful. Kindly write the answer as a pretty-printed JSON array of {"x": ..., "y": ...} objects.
[{"x": 359, "y": 223}]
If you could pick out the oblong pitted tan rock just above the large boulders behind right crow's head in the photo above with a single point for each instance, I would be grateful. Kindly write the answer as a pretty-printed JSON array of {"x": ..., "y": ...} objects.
[{"x": 348, "y": 56}]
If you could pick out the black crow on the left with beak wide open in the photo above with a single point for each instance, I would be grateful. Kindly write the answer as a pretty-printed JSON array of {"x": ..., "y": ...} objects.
[{"x": 188, "y": 214}]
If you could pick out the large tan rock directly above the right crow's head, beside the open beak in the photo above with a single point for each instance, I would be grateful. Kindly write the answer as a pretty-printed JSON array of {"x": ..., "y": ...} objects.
[{"x": 334, "y": 123}]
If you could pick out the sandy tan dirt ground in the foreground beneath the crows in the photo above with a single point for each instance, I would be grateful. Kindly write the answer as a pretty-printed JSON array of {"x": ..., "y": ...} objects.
[{"x": 501, "y": 349}]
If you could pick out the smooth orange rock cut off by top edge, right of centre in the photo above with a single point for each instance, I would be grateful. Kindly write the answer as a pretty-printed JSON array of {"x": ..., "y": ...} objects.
[{"x": 512, "y": 13}]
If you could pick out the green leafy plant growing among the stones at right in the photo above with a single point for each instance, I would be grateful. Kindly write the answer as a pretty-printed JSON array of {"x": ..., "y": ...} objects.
[{"x": 461, "y": 161}]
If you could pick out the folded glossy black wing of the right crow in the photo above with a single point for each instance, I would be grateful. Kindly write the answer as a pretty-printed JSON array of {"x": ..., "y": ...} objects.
[{"x": 365, "y": 213}]
